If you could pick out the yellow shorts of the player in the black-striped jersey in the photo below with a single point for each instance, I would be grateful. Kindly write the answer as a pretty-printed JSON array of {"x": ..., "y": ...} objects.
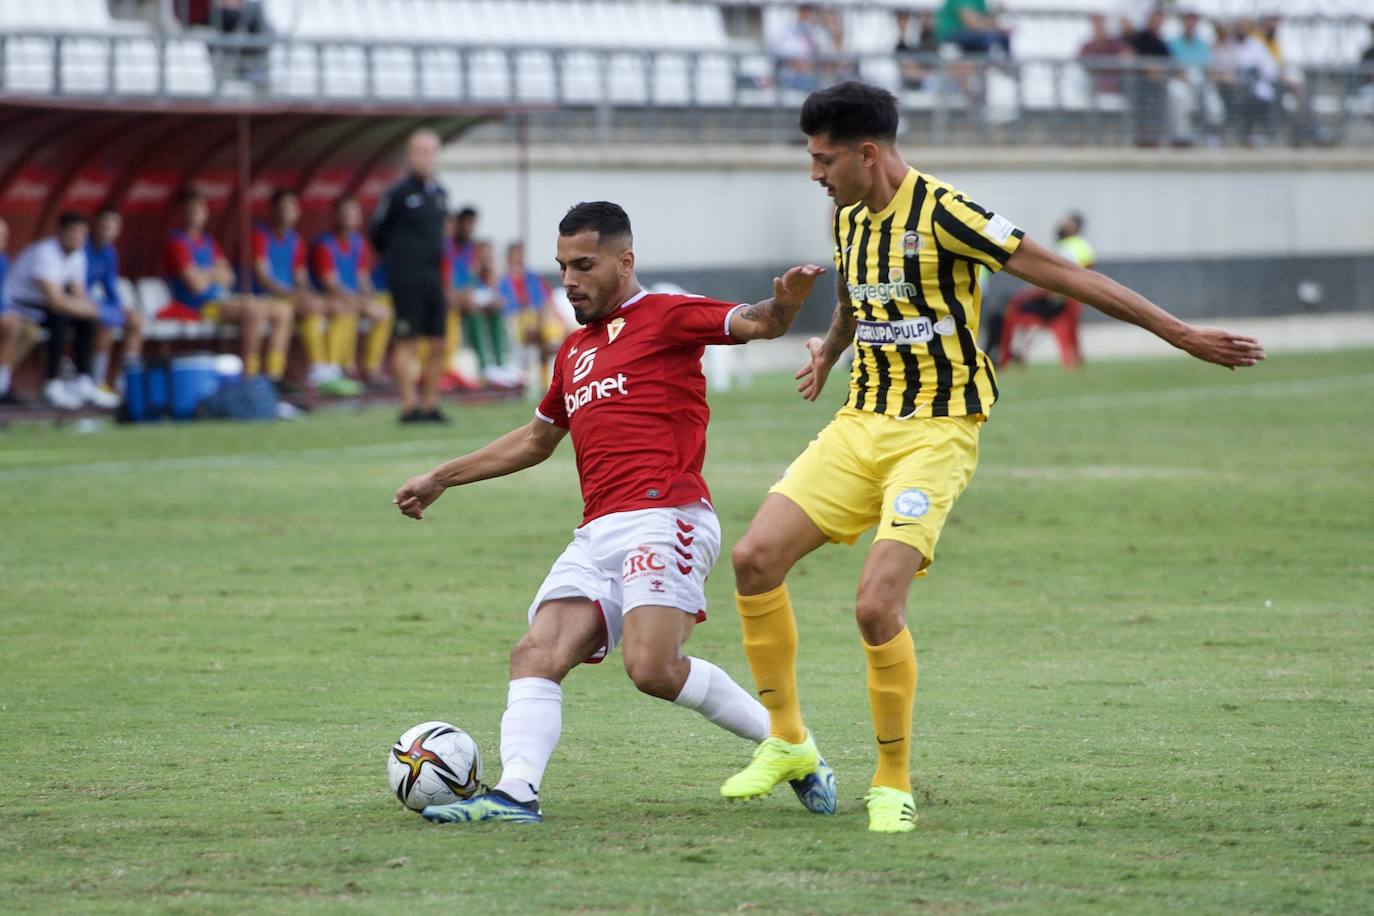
[{"x": 868, "y": 469}]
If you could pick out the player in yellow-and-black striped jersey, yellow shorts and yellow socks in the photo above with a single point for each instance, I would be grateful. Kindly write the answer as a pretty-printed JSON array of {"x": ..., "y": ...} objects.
[{"x": 906, "y": 443}]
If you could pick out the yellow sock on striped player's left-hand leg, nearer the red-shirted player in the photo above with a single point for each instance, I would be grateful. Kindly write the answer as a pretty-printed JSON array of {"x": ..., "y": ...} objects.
[{"x": 772, "y": 648}]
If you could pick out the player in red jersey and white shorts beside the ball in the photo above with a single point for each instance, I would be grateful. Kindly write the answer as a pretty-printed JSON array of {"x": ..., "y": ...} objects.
[{"x": 629, "y": 387}]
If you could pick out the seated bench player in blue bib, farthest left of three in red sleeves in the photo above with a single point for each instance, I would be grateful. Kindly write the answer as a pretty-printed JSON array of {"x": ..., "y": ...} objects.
[{"x": 200, "y": 279}]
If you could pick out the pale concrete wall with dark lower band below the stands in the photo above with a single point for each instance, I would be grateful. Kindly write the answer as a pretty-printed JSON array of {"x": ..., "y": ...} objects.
[{"x": 1206, "y": 233}]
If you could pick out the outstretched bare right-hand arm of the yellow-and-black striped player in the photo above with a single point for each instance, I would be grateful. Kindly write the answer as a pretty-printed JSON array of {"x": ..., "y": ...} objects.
[{"x": 1044, "y": 268}]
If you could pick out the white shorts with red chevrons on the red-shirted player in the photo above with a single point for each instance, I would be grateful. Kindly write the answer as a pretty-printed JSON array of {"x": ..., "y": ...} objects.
[{"x": 630, "y": 560}]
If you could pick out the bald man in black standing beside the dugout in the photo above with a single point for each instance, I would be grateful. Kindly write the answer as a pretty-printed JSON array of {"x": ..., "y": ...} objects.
[{"x": 407, "y": 230}]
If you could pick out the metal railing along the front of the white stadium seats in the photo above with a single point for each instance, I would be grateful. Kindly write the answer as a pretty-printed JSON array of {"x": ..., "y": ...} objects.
[{"x": 741, "y": 95}]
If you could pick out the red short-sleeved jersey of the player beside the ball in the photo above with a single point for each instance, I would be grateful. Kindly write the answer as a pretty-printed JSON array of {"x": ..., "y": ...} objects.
[{"x": 631, "y": 392}]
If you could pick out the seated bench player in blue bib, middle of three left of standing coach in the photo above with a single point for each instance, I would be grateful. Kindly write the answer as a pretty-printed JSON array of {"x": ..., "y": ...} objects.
[{"x": 281, "y": 277}]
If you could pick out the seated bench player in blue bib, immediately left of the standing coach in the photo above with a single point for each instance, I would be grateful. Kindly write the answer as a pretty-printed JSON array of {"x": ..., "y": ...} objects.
[{"x": 341, "y": 273}]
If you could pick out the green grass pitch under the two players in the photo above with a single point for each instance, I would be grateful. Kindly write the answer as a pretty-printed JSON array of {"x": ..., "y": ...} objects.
[{"x": 1148, "y": 668}]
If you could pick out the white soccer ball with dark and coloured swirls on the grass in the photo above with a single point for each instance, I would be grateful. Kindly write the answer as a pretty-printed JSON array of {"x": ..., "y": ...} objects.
[{"x": 433, "y": 764}]
